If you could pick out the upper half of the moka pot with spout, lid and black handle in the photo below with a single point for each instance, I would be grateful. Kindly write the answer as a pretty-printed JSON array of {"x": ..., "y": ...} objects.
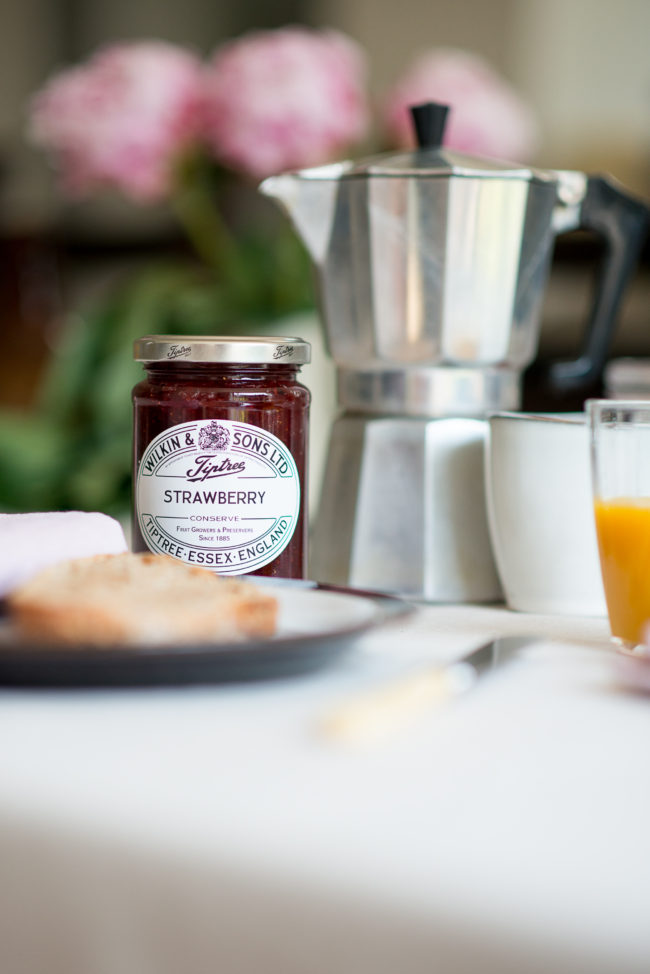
[{"x": 432, "y": 267}]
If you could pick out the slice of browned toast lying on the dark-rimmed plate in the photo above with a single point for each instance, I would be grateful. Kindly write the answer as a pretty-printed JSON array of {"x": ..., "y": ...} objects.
[{"x": 138, "y": 599}]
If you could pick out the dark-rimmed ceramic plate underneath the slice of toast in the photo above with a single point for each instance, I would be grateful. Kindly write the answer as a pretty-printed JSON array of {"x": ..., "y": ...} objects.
[{"x": 317, "y": 624}]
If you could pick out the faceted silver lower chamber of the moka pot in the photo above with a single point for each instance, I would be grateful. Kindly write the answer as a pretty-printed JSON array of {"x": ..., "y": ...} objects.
[{"x": 402, "y": 509}]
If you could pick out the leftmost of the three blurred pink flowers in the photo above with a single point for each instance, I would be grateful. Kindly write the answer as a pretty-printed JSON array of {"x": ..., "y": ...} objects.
[{"x": 122, "y": 119}]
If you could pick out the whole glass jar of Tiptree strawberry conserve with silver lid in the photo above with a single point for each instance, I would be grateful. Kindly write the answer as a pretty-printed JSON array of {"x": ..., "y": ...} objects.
[{"x": 220, "y": 453}]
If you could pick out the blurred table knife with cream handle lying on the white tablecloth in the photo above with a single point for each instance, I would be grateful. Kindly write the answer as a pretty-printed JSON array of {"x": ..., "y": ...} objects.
[{"x": 377, "y": 712}]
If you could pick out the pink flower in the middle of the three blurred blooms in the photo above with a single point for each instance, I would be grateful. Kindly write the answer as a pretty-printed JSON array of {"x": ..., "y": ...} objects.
[{"x": 285, "y": 99}]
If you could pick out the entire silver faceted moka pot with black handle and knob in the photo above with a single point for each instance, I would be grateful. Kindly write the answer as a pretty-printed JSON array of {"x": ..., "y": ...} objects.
[{"x": 432, "y": 268}]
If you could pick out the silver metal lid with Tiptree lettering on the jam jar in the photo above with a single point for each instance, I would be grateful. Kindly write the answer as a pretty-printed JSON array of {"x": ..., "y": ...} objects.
[{"x": 233, "y": 349}]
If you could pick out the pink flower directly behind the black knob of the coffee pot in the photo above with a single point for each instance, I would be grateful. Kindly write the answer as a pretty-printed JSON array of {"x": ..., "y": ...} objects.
[{"x": 487, "y": 117}]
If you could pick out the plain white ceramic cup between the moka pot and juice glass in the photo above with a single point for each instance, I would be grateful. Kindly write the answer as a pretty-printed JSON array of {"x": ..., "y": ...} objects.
[{"x": 540, "y": 513}]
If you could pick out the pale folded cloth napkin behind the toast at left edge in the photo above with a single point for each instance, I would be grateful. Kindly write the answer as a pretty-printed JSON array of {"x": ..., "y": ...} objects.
[{"x": 29, "y": 542}]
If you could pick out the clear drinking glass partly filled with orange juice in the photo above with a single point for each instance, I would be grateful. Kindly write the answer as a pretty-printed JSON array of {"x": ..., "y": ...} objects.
[{"x": 620, "y": 457}]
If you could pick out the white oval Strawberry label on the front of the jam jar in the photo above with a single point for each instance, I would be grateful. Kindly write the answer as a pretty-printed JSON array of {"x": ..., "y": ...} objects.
[{"x": 217, "y": 493}]
